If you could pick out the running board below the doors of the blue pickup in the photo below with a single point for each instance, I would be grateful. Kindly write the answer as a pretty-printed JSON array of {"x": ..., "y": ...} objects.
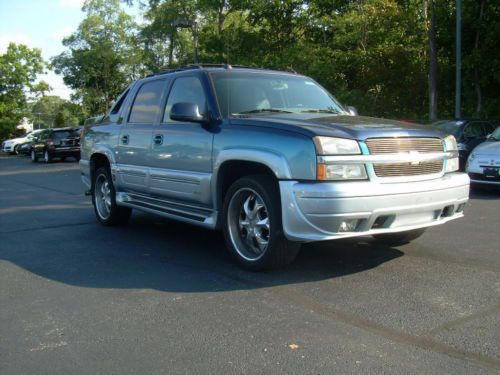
[{"x": 190, "y": 213}]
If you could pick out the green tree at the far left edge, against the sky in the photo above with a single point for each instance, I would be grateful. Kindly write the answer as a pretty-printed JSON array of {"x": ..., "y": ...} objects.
[{"x": 19, "y": 67}]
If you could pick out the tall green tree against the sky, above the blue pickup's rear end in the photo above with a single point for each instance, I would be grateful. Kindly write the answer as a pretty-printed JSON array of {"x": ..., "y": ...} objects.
[{"x": 102, "y": 56}]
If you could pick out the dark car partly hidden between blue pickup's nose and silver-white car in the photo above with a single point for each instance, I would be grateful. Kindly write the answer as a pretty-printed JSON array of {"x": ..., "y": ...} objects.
[{"x": 469, "y": 134}]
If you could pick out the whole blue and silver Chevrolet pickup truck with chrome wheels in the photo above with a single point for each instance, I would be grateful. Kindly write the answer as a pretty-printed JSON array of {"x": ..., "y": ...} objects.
[{"x": 269, "y": 157}]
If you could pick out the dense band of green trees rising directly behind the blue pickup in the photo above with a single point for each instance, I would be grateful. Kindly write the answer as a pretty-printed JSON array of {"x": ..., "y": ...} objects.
[{"x": 373, "y": 54}]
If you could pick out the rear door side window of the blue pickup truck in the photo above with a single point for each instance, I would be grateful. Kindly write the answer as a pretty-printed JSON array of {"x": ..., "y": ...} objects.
[{"x": 147, "y": 102}]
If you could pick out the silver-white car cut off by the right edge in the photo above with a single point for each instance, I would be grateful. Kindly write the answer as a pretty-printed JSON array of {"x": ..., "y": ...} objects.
[{"x": 483, "y": 165}]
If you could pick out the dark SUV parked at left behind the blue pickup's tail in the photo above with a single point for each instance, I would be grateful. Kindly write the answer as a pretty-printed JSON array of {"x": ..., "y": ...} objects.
[{"x": 56, "y": 143}]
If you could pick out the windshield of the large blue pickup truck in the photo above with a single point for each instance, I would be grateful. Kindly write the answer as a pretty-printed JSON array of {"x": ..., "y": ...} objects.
[{"x": 250, "y": 92}]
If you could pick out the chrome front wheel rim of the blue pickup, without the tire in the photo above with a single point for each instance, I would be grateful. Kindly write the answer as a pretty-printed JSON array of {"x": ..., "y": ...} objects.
[{"x": 248, "y": 224}]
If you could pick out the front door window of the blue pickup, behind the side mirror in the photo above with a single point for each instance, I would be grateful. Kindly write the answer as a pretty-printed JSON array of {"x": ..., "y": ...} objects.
[{"x": 186, "y": 90}]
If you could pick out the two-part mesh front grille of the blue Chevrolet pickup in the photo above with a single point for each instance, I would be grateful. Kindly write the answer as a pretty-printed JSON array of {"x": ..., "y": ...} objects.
[{"x": 378, "y": 146}]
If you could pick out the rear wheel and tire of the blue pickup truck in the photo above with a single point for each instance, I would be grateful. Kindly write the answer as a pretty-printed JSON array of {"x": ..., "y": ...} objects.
[{"x": 104, "y": 200}]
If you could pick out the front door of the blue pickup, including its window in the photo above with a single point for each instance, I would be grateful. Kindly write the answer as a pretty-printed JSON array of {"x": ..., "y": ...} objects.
[{"x": 181, "y": 152}]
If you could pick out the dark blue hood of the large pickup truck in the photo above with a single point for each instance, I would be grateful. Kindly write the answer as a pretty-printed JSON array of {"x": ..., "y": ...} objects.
[{"x": 352, "y": 127}]
